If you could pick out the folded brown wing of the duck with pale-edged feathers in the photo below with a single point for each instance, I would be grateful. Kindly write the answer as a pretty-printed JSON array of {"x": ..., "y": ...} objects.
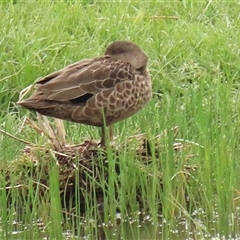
[{"x": 87, "y": 77}]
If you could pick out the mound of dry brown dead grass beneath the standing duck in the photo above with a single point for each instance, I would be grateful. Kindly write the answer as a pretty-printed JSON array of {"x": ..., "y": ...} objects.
[{"x": 76, "y": 164}]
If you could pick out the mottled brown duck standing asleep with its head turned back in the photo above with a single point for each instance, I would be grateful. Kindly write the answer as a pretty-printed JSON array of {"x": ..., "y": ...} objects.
[{"x": 99, "y": 92}]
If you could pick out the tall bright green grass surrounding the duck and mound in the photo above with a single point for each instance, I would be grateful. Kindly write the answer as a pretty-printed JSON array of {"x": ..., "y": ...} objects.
[{"x": 194, "y": 63}]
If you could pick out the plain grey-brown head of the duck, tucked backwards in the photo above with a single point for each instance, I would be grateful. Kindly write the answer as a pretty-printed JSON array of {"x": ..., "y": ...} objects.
[{"x": 127, "y": 52}]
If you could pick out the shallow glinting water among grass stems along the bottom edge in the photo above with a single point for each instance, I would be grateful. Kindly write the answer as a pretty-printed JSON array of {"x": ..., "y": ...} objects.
[{"x": 142, "y": 227}]
